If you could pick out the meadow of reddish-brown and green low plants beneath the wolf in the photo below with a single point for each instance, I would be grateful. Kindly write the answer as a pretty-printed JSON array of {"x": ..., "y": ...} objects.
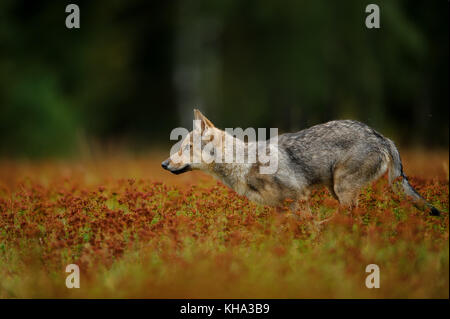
[{"x": 136, "y": 231}]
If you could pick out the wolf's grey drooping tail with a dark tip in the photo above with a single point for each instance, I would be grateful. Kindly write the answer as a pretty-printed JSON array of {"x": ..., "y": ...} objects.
[{"x": 396, "y": 170}]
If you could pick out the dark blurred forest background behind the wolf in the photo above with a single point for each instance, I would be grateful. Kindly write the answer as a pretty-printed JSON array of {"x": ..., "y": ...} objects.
[{"x": 136, "y": 69}]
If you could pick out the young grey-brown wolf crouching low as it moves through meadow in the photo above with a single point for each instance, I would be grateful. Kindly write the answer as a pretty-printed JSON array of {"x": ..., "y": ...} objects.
[{"x": 342, "y": 155}]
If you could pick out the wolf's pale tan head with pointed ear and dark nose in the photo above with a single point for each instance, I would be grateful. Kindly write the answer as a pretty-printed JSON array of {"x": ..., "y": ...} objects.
[{"x": 198, "y": 149}]
